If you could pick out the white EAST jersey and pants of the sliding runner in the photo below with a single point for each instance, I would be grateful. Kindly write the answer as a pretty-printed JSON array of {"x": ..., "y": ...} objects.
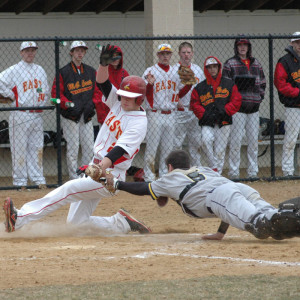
[{"x": 126, "y": 129}]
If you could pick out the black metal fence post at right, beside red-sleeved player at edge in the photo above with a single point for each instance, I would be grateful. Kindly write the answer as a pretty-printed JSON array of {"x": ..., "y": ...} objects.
[{"x": 271, "y": 87}]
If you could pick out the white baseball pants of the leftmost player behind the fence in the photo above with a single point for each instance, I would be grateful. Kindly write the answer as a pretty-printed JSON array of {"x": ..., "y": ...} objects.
[{"x": 26, "y": 141}]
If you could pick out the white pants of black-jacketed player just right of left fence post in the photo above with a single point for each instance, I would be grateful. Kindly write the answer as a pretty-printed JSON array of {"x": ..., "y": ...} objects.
[{"x": 75, "y": 134}]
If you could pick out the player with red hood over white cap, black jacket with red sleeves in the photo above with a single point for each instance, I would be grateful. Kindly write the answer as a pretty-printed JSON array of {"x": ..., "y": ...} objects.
[{"x": 214, "y": 101}]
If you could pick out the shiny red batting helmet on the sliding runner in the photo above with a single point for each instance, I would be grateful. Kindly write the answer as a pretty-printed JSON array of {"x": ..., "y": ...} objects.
[{"x": 133, "y": 87}]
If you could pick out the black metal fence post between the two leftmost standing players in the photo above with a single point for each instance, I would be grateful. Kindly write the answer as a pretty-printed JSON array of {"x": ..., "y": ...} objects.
[{"x": 58, "y": 127}]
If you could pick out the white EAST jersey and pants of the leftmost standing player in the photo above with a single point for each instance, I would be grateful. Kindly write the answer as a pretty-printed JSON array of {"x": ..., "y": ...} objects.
[{"x": 27, "y": 85}]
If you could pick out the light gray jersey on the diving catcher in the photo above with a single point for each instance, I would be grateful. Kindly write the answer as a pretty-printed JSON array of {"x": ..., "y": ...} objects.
[{"x": 173, "y": 184}]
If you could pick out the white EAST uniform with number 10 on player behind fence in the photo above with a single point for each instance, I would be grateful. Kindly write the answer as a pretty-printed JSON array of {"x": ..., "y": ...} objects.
[{"x": 161, "y": 104}]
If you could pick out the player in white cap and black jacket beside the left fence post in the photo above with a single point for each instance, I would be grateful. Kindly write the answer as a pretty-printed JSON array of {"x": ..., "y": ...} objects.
[{"x": 77, "y": 120}]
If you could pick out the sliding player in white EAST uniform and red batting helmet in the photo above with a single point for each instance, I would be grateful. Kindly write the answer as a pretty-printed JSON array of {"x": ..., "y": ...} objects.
[{"x": 117, "y": 143}]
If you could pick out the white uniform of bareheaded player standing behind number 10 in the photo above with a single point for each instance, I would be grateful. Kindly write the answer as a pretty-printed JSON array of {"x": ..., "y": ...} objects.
[{"x": 187, "y": 123}]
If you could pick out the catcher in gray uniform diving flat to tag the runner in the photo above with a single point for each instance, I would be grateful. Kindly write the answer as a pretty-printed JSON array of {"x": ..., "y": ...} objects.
[{"x": 203, "y": 193}]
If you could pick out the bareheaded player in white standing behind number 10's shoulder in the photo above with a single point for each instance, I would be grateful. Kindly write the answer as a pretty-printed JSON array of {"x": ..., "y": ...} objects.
[{"x": 186, "y": 122}]
